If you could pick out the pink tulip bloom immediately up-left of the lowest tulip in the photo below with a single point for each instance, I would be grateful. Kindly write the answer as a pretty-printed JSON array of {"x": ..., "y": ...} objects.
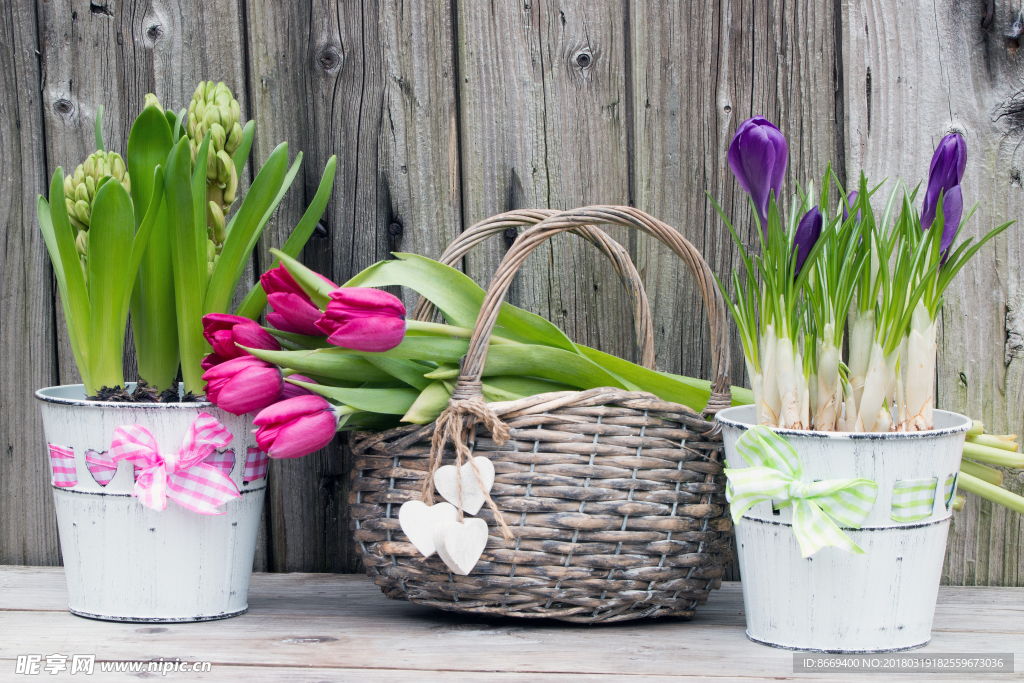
[{"x": 243, "y": 386}]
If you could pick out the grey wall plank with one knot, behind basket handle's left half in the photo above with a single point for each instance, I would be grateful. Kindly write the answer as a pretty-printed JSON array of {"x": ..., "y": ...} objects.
[{"x": 542, "y": 96}]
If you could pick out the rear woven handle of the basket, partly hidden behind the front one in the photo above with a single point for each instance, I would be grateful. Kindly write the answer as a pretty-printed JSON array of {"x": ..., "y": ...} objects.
[{"x": 621, "y": 261}]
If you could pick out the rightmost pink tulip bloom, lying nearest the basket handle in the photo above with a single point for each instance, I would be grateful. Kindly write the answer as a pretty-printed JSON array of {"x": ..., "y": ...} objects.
[{"x": 364, "y": 320}]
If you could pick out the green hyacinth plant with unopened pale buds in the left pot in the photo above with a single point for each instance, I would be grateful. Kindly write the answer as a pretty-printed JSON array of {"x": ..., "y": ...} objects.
[{"x": 166, "y": 211}]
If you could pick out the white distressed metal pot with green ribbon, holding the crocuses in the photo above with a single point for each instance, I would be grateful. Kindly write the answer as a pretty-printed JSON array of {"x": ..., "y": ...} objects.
[{"x": 836, "y": 602}]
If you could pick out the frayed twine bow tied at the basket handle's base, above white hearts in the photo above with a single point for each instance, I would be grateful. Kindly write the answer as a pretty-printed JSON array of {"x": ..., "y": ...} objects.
[{"x": 457, "y": 424}]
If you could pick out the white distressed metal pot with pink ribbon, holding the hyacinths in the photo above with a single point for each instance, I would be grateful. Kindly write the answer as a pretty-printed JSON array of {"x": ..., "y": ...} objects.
[{"x": 127, "y": 563}]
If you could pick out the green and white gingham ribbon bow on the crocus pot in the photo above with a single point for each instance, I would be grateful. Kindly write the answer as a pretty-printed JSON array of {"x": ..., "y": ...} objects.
[{"x": 776, "y": 474}]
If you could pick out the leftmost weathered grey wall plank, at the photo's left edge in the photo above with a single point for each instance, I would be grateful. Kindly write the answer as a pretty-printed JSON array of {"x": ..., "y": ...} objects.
[{"x": 28, "y": 528}]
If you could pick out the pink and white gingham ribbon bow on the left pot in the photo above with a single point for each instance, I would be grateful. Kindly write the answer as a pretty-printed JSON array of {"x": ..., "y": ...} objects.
[{"x": 184, "y": 477}]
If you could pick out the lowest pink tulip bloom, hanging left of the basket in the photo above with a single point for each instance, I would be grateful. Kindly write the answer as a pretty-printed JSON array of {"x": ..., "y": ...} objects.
[{"x": 296, "y": 428}]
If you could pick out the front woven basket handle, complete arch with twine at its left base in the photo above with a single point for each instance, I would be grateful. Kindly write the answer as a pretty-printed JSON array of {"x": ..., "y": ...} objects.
[{"x": 473, "y": 367}]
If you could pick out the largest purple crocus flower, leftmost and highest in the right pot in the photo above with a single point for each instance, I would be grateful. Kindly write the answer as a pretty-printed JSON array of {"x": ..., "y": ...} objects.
[{"x": 758, "y": 156}]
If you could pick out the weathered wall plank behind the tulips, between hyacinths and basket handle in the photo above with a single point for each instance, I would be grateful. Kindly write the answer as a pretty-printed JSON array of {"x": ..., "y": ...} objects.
[{"x": 376, "y": 86}]
